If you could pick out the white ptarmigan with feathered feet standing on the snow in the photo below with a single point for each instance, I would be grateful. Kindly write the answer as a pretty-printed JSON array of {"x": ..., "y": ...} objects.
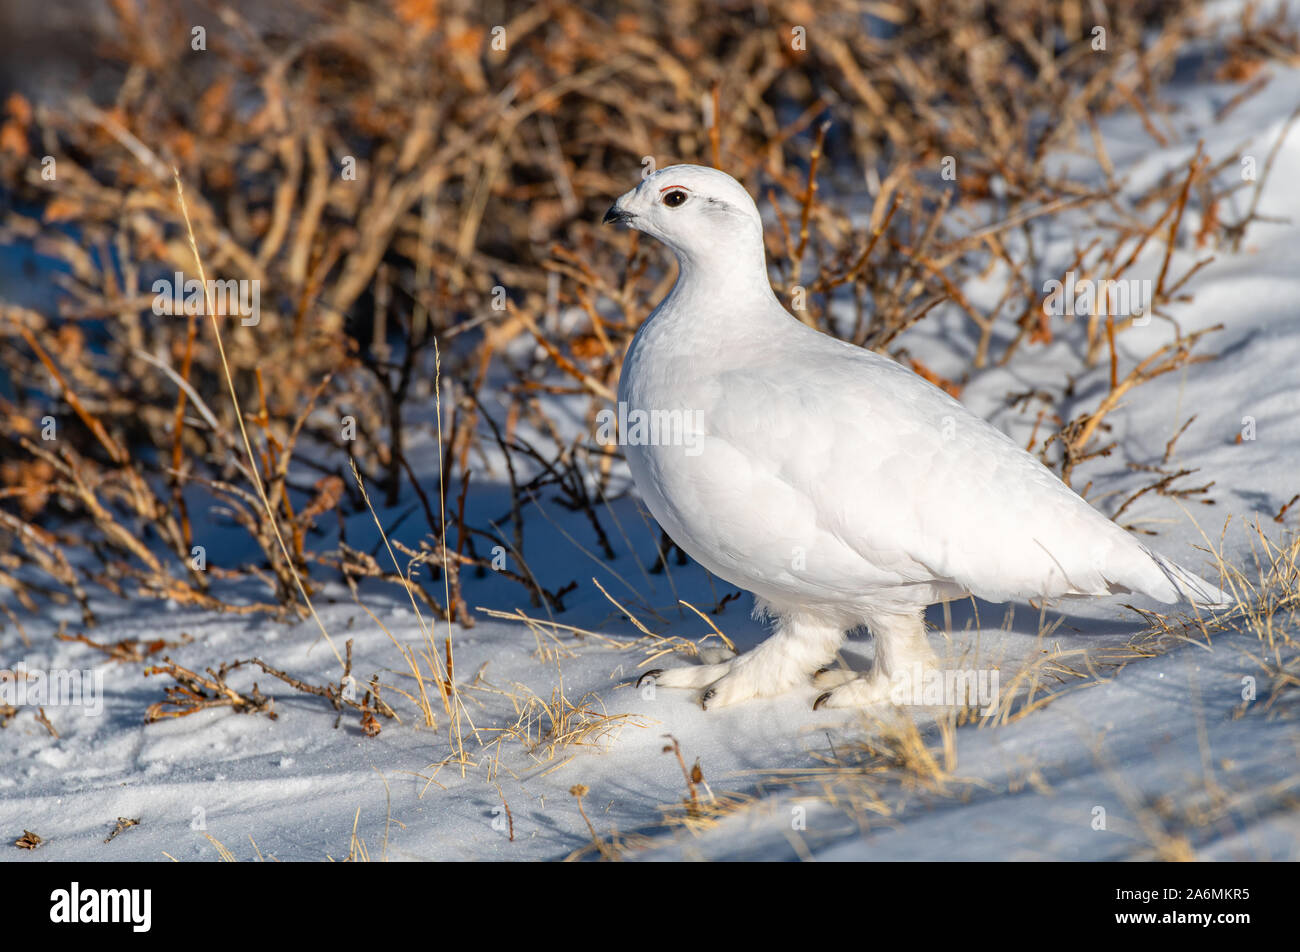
[{"x": 837, "y": 486}]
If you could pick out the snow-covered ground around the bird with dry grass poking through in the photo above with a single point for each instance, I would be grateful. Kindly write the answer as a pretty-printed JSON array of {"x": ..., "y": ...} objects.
[{"x": 1145, "y": 754}]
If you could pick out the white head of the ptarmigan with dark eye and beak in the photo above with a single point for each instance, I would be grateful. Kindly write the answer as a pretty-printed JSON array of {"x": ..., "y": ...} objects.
[{"x": 699, "y": 213}]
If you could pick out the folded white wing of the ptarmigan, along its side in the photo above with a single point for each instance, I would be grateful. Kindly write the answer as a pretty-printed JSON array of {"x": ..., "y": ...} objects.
[{"x": 916, "y": 484}]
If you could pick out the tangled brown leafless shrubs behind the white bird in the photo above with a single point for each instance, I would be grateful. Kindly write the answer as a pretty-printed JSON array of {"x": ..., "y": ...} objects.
[{"x": 384, "y": 205}]
